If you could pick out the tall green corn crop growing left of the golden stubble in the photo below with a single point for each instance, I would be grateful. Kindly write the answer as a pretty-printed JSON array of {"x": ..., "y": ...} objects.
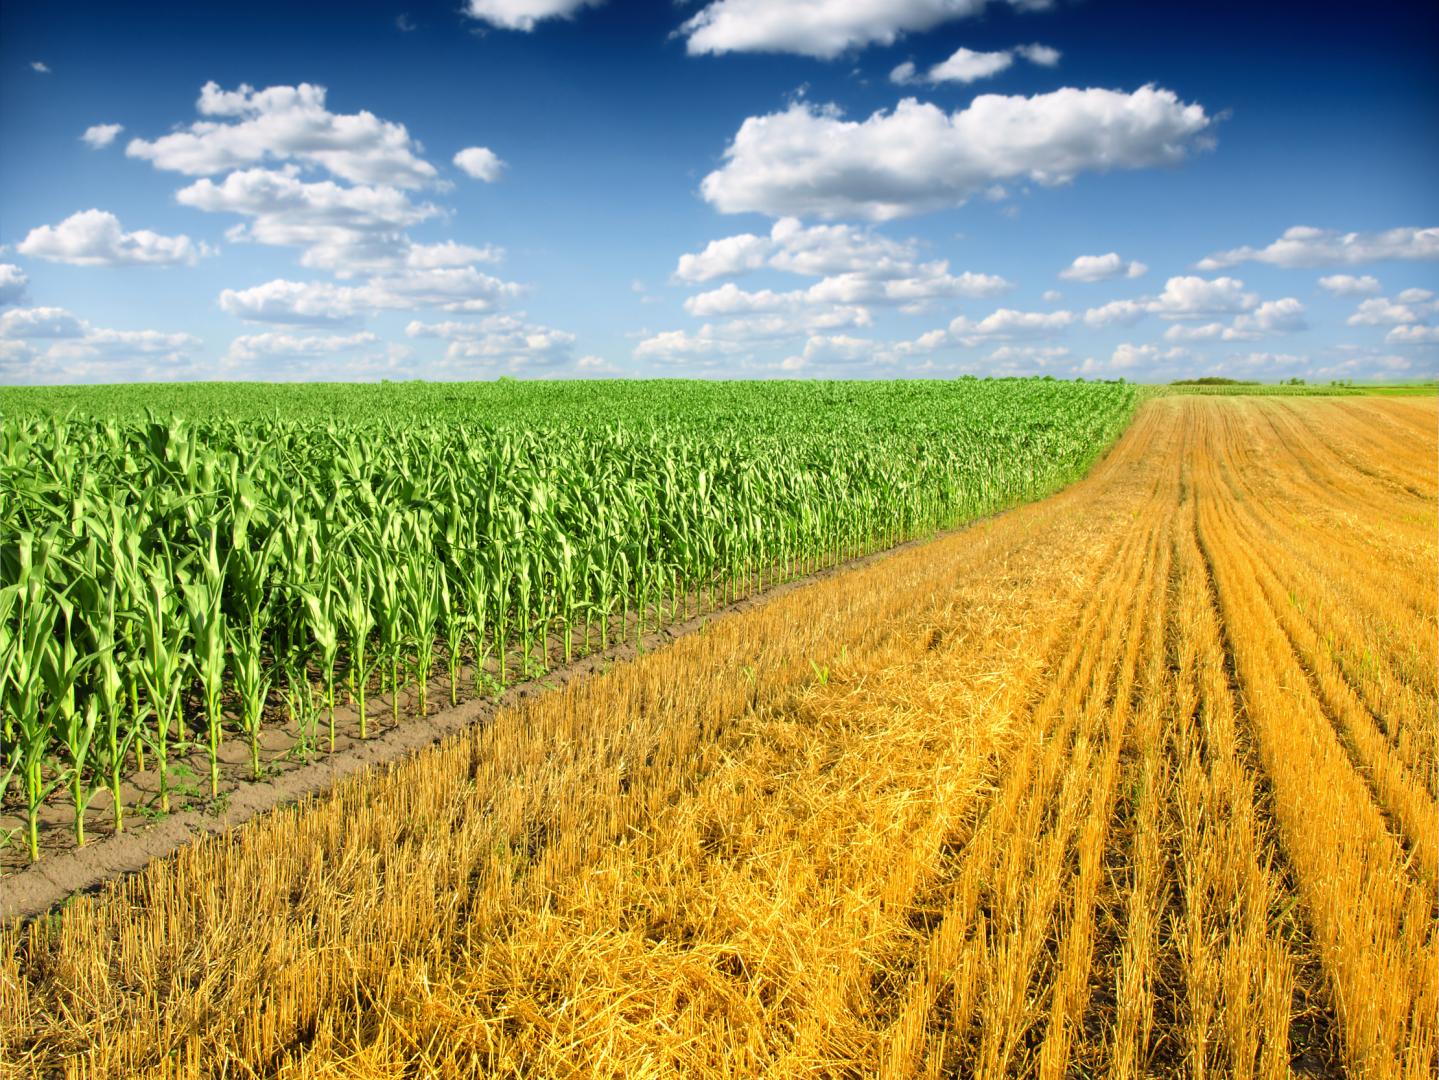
[{"x": 181, "y": 563}]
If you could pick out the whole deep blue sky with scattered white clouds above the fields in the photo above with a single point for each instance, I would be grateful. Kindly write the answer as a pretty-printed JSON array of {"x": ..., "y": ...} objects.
[{"x": 717, "y": 189}]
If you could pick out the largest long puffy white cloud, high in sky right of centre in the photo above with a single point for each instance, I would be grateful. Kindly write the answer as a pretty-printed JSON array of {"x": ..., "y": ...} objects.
[{"x": 812, "y": 162}]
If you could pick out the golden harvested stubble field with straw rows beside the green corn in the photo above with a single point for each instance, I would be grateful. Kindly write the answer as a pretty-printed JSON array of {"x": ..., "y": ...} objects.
[{"x": 1135, "y": 782}]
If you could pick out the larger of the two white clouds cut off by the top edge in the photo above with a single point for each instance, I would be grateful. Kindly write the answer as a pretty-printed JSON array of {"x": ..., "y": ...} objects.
[{"x": 820, "y": 28}]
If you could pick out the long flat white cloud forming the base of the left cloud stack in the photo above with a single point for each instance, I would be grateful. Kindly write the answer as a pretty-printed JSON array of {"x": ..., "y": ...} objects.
[{"x": 320, "y": 304}]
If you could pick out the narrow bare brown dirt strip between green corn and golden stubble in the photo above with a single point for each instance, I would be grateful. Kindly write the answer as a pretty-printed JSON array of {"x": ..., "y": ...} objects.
[{"x": 55, "y": 879}]
